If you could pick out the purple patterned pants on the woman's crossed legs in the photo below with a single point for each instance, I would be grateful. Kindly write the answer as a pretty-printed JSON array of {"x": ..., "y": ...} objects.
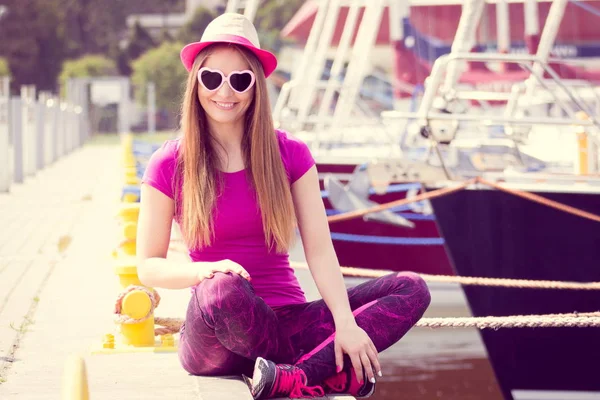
[{"x": 227, "y": 326}]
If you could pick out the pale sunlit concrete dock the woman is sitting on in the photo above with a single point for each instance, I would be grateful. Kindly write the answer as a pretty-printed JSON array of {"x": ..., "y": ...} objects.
[{"x": 58, "y": 290}]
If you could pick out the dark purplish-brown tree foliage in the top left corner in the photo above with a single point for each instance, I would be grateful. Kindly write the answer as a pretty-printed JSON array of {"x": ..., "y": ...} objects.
[{"x": 43, "y": 33}]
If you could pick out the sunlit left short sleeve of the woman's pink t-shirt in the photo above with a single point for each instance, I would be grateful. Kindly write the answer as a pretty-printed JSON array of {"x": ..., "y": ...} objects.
[{"x": 160, "y": 170}]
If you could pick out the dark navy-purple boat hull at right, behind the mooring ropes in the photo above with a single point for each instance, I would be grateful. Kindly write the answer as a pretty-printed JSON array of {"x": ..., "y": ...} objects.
[{"x": 493, "y": 234}]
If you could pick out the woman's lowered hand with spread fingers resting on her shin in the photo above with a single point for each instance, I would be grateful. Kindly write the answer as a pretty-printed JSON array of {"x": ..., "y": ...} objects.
[{"x": 354, "y": 341}]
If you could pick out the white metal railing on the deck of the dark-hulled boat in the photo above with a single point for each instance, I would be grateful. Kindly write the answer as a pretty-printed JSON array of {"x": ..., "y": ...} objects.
[{"x": 523, "y": 94}]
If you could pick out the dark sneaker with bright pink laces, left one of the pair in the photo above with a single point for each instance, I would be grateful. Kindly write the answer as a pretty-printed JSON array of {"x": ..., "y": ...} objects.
[{"x": 271, "y": 380}]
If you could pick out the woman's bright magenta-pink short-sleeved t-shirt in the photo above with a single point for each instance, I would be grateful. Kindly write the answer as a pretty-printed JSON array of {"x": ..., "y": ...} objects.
[{"x": 239, "y": 234}]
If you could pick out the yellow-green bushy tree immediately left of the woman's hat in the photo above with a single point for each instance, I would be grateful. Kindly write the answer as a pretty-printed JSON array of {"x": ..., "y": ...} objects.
[{"x": 163, "y": 67}]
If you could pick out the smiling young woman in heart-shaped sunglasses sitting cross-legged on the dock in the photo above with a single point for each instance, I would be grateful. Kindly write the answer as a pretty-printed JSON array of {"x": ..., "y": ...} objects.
[{"x": 238, "y": 188}]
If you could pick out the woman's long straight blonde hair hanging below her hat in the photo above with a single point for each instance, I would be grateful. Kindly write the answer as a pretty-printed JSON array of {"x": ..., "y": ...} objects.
[{"x": 197, "y": 165}]
